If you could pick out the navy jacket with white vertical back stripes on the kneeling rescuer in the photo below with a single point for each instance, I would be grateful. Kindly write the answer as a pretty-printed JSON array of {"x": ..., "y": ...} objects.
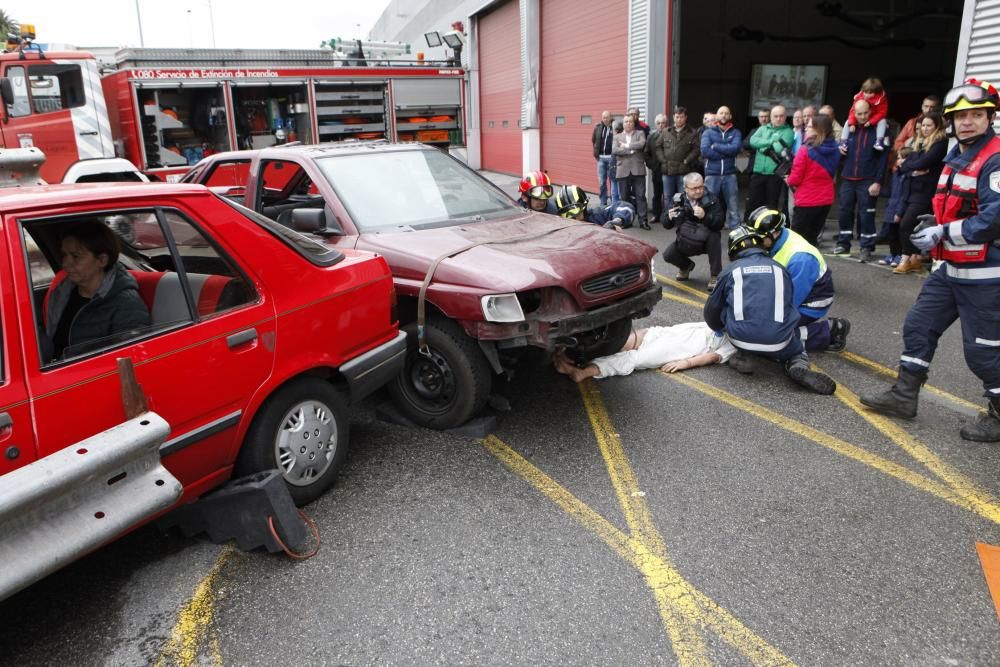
[{"x": 753, "y": 304}]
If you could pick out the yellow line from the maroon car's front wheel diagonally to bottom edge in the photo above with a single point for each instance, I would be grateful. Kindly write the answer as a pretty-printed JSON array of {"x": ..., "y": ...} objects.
[{"x": 667, "y": 579}]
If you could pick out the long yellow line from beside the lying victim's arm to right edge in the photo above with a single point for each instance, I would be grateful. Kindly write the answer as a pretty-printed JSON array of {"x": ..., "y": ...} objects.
[{"x": 834, "y": 444}]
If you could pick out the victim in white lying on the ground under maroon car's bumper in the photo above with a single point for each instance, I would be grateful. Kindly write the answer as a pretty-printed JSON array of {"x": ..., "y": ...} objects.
[{"x": 671, "y": 349}]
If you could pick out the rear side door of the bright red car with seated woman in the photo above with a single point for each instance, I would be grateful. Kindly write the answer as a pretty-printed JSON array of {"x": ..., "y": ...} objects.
[{"x": 207, "y": 348}]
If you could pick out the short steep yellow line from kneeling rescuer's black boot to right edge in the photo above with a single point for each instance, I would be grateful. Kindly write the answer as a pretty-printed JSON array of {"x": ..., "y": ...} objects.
[{"x": 986, "y": 505}]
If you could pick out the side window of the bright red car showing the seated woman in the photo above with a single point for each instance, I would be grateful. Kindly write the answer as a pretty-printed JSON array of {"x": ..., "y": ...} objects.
[{"x": 168, "y": 274}]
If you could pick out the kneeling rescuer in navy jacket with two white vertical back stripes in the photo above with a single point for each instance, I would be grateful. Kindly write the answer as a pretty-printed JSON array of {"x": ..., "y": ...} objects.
[{"x": 753, "y": 305}]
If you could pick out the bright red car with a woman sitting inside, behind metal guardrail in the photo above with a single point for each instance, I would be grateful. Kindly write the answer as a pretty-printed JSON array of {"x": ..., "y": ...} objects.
[{"x": 258, "y": 340}]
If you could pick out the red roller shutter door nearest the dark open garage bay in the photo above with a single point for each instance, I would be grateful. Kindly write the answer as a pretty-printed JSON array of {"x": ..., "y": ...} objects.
[{"x": 584, "y": 71}]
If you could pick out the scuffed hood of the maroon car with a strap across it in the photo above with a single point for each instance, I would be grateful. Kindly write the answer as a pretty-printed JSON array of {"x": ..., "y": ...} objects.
[{"x": 528, "y": 251}]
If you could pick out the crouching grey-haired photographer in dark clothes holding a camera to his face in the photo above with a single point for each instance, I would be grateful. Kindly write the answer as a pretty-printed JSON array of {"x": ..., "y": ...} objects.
[{"x": 698, "y": 216}]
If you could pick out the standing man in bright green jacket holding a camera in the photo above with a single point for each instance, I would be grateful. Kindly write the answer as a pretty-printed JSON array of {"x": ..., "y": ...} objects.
[{"x": 773, "y": 159}]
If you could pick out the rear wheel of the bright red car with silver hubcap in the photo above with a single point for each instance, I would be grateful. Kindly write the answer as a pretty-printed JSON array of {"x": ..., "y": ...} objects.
[{"x": 312, "y": 412}]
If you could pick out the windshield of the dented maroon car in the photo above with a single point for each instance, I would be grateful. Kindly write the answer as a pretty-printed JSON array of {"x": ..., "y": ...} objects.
[{"x": 412, "y": 189}]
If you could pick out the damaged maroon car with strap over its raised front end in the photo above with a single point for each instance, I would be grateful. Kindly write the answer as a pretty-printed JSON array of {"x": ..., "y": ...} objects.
[{"x": 478, "y": 277}]
